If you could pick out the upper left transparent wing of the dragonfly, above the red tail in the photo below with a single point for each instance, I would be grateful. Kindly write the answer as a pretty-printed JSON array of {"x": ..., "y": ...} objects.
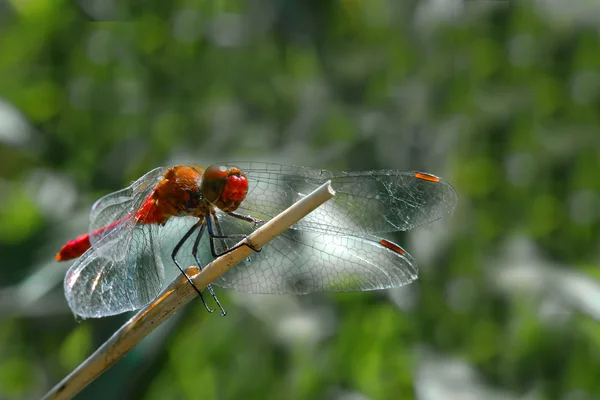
[{"x": 114, "y": 207}]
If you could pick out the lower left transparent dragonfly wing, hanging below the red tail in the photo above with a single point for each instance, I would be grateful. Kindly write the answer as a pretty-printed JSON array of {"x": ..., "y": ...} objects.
[{"x": 113, "y": 277}]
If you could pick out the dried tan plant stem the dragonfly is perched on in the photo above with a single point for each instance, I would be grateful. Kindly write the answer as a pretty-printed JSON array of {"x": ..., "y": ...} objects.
[{"x": 179, "y": 293}]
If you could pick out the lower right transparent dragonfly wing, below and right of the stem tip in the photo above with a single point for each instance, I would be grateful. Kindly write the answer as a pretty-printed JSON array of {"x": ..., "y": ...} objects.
[{"x": 302, "y": 262}]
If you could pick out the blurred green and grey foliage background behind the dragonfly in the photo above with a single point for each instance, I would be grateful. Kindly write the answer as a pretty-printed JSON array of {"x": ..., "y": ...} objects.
[{"x": 499, "y": 98}]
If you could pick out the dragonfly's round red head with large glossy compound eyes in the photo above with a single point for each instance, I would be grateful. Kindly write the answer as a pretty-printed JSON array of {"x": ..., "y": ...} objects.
[{"x": 224, "y": 187}]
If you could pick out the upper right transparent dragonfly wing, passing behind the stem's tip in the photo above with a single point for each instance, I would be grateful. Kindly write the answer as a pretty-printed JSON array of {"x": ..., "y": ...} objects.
[{"x": 366, "y": 202}]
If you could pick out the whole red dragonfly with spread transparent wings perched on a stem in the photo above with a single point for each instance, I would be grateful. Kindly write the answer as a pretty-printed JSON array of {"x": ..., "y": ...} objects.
[{"x": 135, "y": 231}]
